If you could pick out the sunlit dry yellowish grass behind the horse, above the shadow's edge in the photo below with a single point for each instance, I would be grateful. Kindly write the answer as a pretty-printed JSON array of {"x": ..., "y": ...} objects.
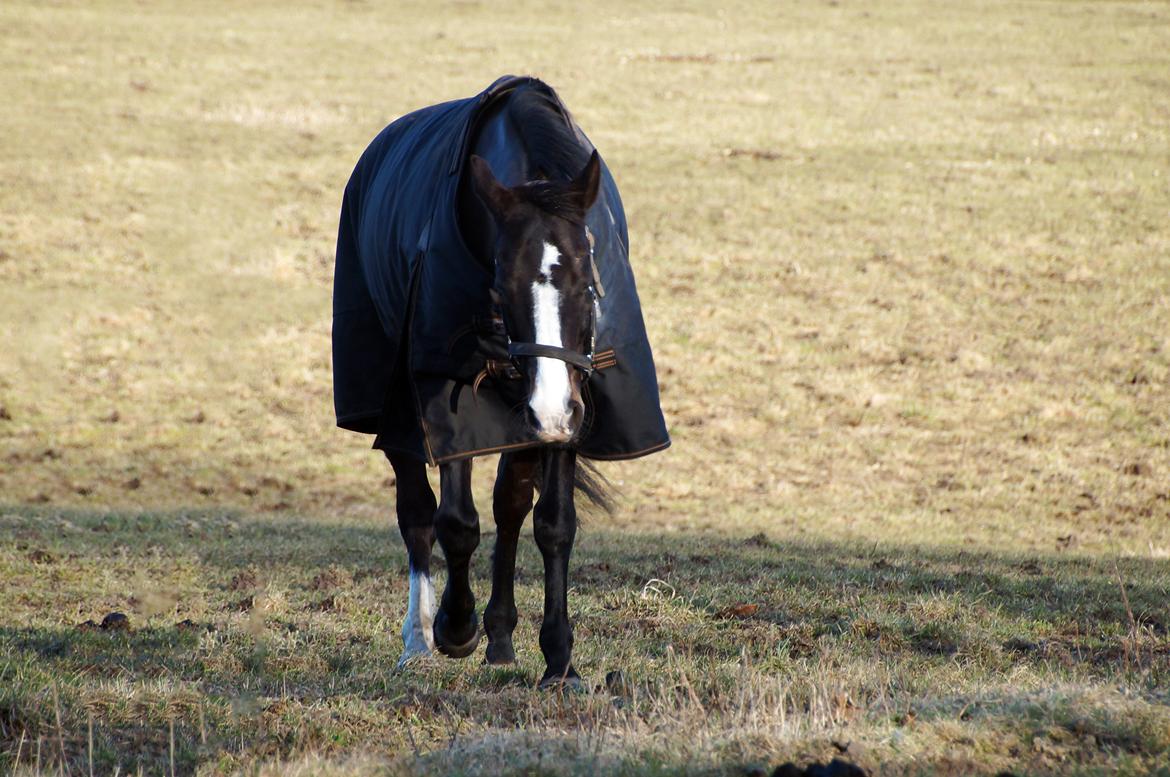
[{"x": 905, "y": 269}]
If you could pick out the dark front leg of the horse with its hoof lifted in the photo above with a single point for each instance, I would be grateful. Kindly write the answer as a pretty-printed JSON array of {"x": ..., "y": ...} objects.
[{"x": 457, "y": 629}]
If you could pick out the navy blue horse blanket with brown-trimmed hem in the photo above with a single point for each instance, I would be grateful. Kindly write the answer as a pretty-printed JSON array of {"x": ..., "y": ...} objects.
[{"x": 411, "y": 305}]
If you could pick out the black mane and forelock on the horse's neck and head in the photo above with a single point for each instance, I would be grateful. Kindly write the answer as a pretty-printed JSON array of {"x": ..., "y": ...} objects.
[{"x": 556, "y": 153}]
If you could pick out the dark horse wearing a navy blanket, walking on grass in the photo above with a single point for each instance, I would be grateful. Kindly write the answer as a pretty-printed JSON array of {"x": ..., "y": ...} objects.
[{"x": 484, "y": 304}]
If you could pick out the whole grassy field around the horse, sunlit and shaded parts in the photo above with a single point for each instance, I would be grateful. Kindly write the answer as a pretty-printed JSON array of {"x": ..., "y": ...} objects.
[{"x": 906, "y": 267}]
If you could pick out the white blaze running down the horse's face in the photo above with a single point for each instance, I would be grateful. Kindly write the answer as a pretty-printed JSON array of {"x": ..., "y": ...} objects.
[{"x": 550, "y": 398}]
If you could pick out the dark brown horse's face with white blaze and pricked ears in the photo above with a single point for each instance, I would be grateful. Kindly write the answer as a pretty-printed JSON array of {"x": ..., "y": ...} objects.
[{"x": 543, "y": 286}]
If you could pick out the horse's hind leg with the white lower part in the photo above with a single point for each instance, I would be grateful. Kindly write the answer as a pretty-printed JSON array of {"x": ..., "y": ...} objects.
[{"x": 416, "y": 507}]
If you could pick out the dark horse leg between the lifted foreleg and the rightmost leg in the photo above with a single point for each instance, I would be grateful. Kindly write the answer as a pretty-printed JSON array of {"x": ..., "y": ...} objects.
[{"x": 511, "y": 504}]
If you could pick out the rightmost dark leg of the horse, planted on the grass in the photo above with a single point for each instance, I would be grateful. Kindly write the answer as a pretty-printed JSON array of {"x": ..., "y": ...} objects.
[{"x": 555, "y": 527}]
